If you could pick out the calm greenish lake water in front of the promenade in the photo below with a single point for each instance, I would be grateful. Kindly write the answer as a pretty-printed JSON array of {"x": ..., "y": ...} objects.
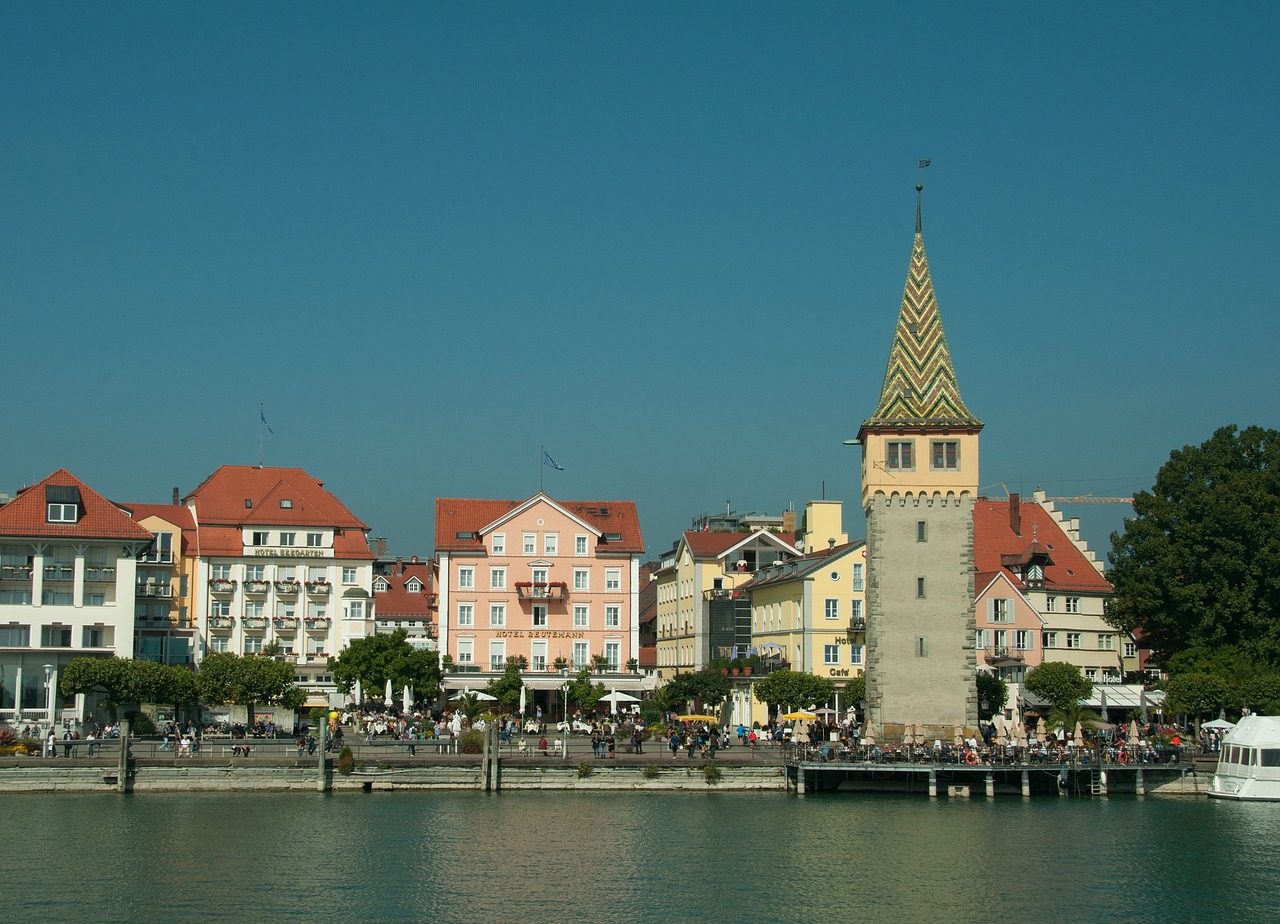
[{"x": 560, "y": 857}]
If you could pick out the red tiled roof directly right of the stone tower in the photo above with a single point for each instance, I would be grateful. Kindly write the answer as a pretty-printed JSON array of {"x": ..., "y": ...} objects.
[{"x": 996, "y": 543}]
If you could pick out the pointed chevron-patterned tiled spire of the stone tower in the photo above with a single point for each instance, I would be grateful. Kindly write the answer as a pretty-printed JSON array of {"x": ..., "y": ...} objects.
[{"x": 920, "y": 381}]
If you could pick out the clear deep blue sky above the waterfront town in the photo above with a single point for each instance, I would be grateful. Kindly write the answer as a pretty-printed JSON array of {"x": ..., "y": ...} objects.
[{"x": 668, "y": 241}]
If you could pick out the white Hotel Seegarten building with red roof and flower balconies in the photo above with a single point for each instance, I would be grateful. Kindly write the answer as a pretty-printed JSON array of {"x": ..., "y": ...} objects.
[{"x": 284, "y": 569}]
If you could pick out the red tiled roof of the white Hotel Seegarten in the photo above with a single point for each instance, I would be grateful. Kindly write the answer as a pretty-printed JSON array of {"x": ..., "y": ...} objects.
[{"x": 223, "y": 515}]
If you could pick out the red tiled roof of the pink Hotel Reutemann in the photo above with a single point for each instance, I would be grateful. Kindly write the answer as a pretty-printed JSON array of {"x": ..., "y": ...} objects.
[{"x": 458, "y": 516}]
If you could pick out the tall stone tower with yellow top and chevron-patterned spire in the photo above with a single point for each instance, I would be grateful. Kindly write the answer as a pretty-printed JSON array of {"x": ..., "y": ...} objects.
[{"x": 920, "y": 481}]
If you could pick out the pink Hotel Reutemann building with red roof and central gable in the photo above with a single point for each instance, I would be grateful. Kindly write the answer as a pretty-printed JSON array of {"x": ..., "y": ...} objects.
[{"x": 554, "y": 582}]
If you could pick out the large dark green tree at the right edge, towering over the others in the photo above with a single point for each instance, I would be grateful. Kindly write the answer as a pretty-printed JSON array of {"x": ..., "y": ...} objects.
[{"x": 1199, "y": 565}]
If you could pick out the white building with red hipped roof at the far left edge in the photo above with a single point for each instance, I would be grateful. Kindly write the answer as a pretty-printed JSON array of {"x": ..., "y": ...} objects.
[{"x": 68, "y": 565}]
